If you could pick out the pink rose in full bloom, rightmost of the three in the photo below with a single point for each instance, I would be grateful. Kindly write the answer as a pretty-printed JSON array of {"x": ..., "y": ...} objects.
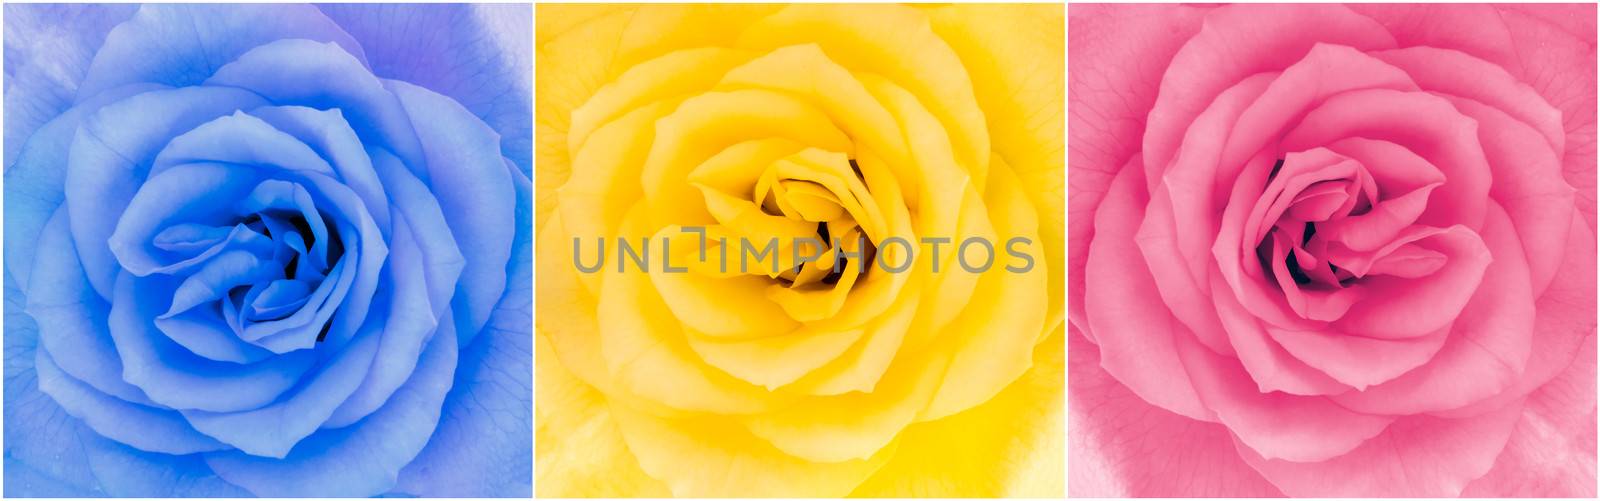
[{"x": 1324, "y": 250}]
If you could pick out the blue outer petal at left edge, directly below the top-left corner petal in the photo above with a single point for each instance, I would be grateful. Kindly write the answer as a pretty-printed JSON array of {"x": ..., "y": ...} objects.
[{"x": 34, "y": 185}]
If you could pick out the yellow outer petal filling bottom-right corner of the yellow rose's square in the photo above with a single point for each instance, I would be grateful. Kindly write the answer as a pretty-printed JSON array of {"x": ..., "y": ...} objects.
[{"x": 1010, "y": 447}]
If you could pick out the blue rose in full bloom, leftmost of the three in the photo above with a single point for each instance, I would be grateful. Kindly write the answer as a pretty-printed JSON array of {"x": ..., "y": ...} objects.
[{"x": 274, "y": 250}]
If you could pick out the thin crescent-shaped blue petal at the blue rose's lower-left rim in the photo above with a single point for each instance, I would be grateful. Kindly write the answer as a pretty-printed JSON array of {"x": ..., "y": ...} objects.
[{"x": 145, "y": 428}]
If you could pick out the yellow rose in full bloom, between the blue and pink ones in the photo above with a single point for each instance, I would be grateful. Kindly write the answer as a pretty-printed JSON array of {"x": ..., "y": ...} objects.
[{"x": 878, "y": 140}]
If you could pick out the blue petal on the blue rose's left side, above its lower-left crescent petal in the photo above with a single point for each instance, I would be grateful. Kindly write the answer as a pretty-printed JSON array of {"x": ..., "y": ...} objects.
[{"x": 71, "y": 318}]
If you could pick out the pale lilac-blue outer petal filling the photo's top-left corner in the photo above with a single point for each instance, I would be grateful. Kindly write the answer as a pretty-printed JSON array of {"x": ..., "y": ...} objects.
[{"x": 49, "y": 50}]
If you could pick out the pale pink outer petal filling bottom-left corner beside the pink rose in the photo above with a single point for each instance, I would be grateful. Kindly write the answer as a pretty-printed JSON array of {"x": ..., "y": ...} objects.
[{"x": 1121, "y": 446}]
